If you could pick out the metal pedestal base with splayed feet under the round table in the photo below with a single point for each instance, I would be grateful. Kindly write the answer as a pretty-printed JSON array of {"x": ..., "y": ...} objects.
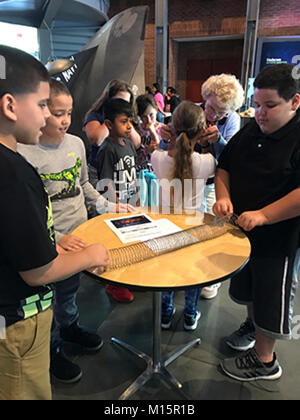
[{"x": 155, "y": 365}]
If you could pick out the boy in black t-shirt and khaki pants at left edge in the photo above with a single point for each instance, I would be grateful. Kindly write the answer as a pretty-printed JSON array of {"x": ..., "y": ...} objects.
[{"x": 29, "y": 259}]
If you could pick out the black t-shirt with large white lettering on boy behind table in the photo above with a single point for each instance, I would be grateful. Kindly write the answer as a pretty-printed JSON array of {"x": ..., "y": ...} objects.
[{"x": 118, "y": 163}]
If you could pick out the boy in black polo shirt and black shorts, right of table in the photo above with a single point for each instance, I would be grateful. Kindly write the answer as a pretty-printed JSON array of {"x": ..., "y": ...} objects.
[{"x": 258, "y": 178}]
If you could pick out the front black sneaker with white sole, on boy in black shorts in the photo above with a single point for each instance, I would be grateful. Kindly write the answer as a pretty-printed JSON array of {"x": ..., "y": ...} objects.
[{"x": 249, "y": 367}]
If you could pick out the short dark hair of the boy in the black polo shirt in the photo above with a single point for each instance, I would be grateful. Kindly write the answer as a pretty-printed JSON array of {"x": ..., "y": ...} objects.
[{"x": 278, "y": 77}]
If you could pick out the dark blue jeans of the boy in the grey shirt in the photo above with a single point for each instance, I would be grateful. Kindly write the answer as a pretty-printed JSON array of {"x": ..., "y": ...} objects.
[{"x": 65, "y": 309}]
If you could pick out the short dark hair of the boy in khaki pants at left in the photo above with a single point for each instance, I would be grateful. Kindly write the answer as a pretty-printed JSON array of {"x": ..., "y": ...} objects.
[{"x": 23, "y": 72}]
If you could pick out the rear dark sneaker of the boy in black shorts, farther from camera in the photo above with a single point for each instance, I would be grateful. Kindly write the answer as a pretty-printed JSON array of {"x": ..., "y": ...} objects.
[{"x": 244, "y": 338}]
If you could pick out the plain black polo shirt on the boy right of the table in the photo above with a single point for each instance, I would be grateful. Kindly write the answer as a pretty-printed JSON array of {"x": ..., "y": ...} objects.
[{"x": 264, "y": 168}]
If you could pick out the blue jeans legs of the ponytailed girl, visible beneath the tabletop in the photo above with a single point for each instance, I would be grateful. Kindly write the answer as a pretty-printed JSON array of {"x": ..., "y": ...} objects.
[{"x": 190, "y": 304}]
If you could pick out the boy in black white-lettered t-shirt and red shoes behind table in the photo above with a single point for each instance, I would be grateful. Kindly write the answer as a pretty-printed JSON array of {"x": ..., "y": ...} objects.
[{"x": 116, "y": 168}]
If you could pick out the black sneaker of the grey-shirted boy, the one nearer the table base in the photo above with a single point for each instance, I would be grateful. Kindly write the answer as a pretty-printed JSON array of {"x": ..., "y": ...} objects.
[{"x": 79, "y": 335}]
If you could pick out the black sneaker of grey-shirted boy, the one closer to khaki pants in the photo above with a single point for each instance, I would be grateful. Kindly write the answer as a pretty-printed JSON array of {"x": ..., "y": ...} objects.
[{"x": 63, "y": 369}]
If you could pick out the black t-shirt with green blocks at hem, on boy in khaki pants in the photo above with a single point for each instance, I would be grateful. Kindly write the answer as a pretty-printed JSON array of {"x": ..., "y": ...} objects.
[{"x": 26, "y": 239}]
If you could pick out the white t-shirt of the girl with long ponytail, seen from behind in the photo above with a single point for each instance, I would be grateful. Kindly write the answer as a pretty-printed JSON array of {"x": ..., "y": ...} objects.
[{"x": 203, "y": 166}]
